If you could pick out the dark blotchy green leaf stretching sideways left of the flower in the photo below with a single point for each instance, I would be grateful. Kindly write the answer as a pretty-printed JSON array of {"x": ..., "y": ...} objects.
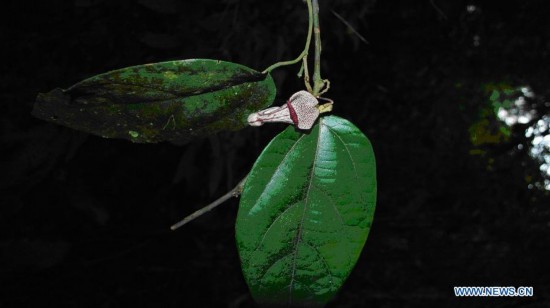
[{"x": 168, "y": 101}]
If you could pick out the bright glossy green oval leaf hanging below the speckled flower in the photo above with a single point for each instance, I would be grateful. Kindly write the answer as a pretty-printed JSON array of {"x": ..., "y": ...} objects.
[{"x": 305, "y": 213}]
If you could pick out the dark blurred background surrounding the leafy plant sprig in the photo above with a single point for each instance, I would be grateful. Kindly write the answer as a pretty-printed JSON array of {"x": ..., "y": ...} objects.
[{"x": 84, "y": 220}]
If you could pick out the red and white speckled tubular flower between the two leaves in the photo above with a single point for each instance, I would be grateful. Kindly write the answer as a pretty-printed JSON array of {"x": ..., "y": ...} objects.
[{"x": 301, "y": 110}]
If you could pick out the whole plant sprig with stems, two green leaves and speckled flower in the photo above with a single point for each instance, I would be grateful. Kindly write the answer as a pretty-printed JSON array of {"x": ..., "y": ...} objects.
[{"x": 308, "y": 202}]
